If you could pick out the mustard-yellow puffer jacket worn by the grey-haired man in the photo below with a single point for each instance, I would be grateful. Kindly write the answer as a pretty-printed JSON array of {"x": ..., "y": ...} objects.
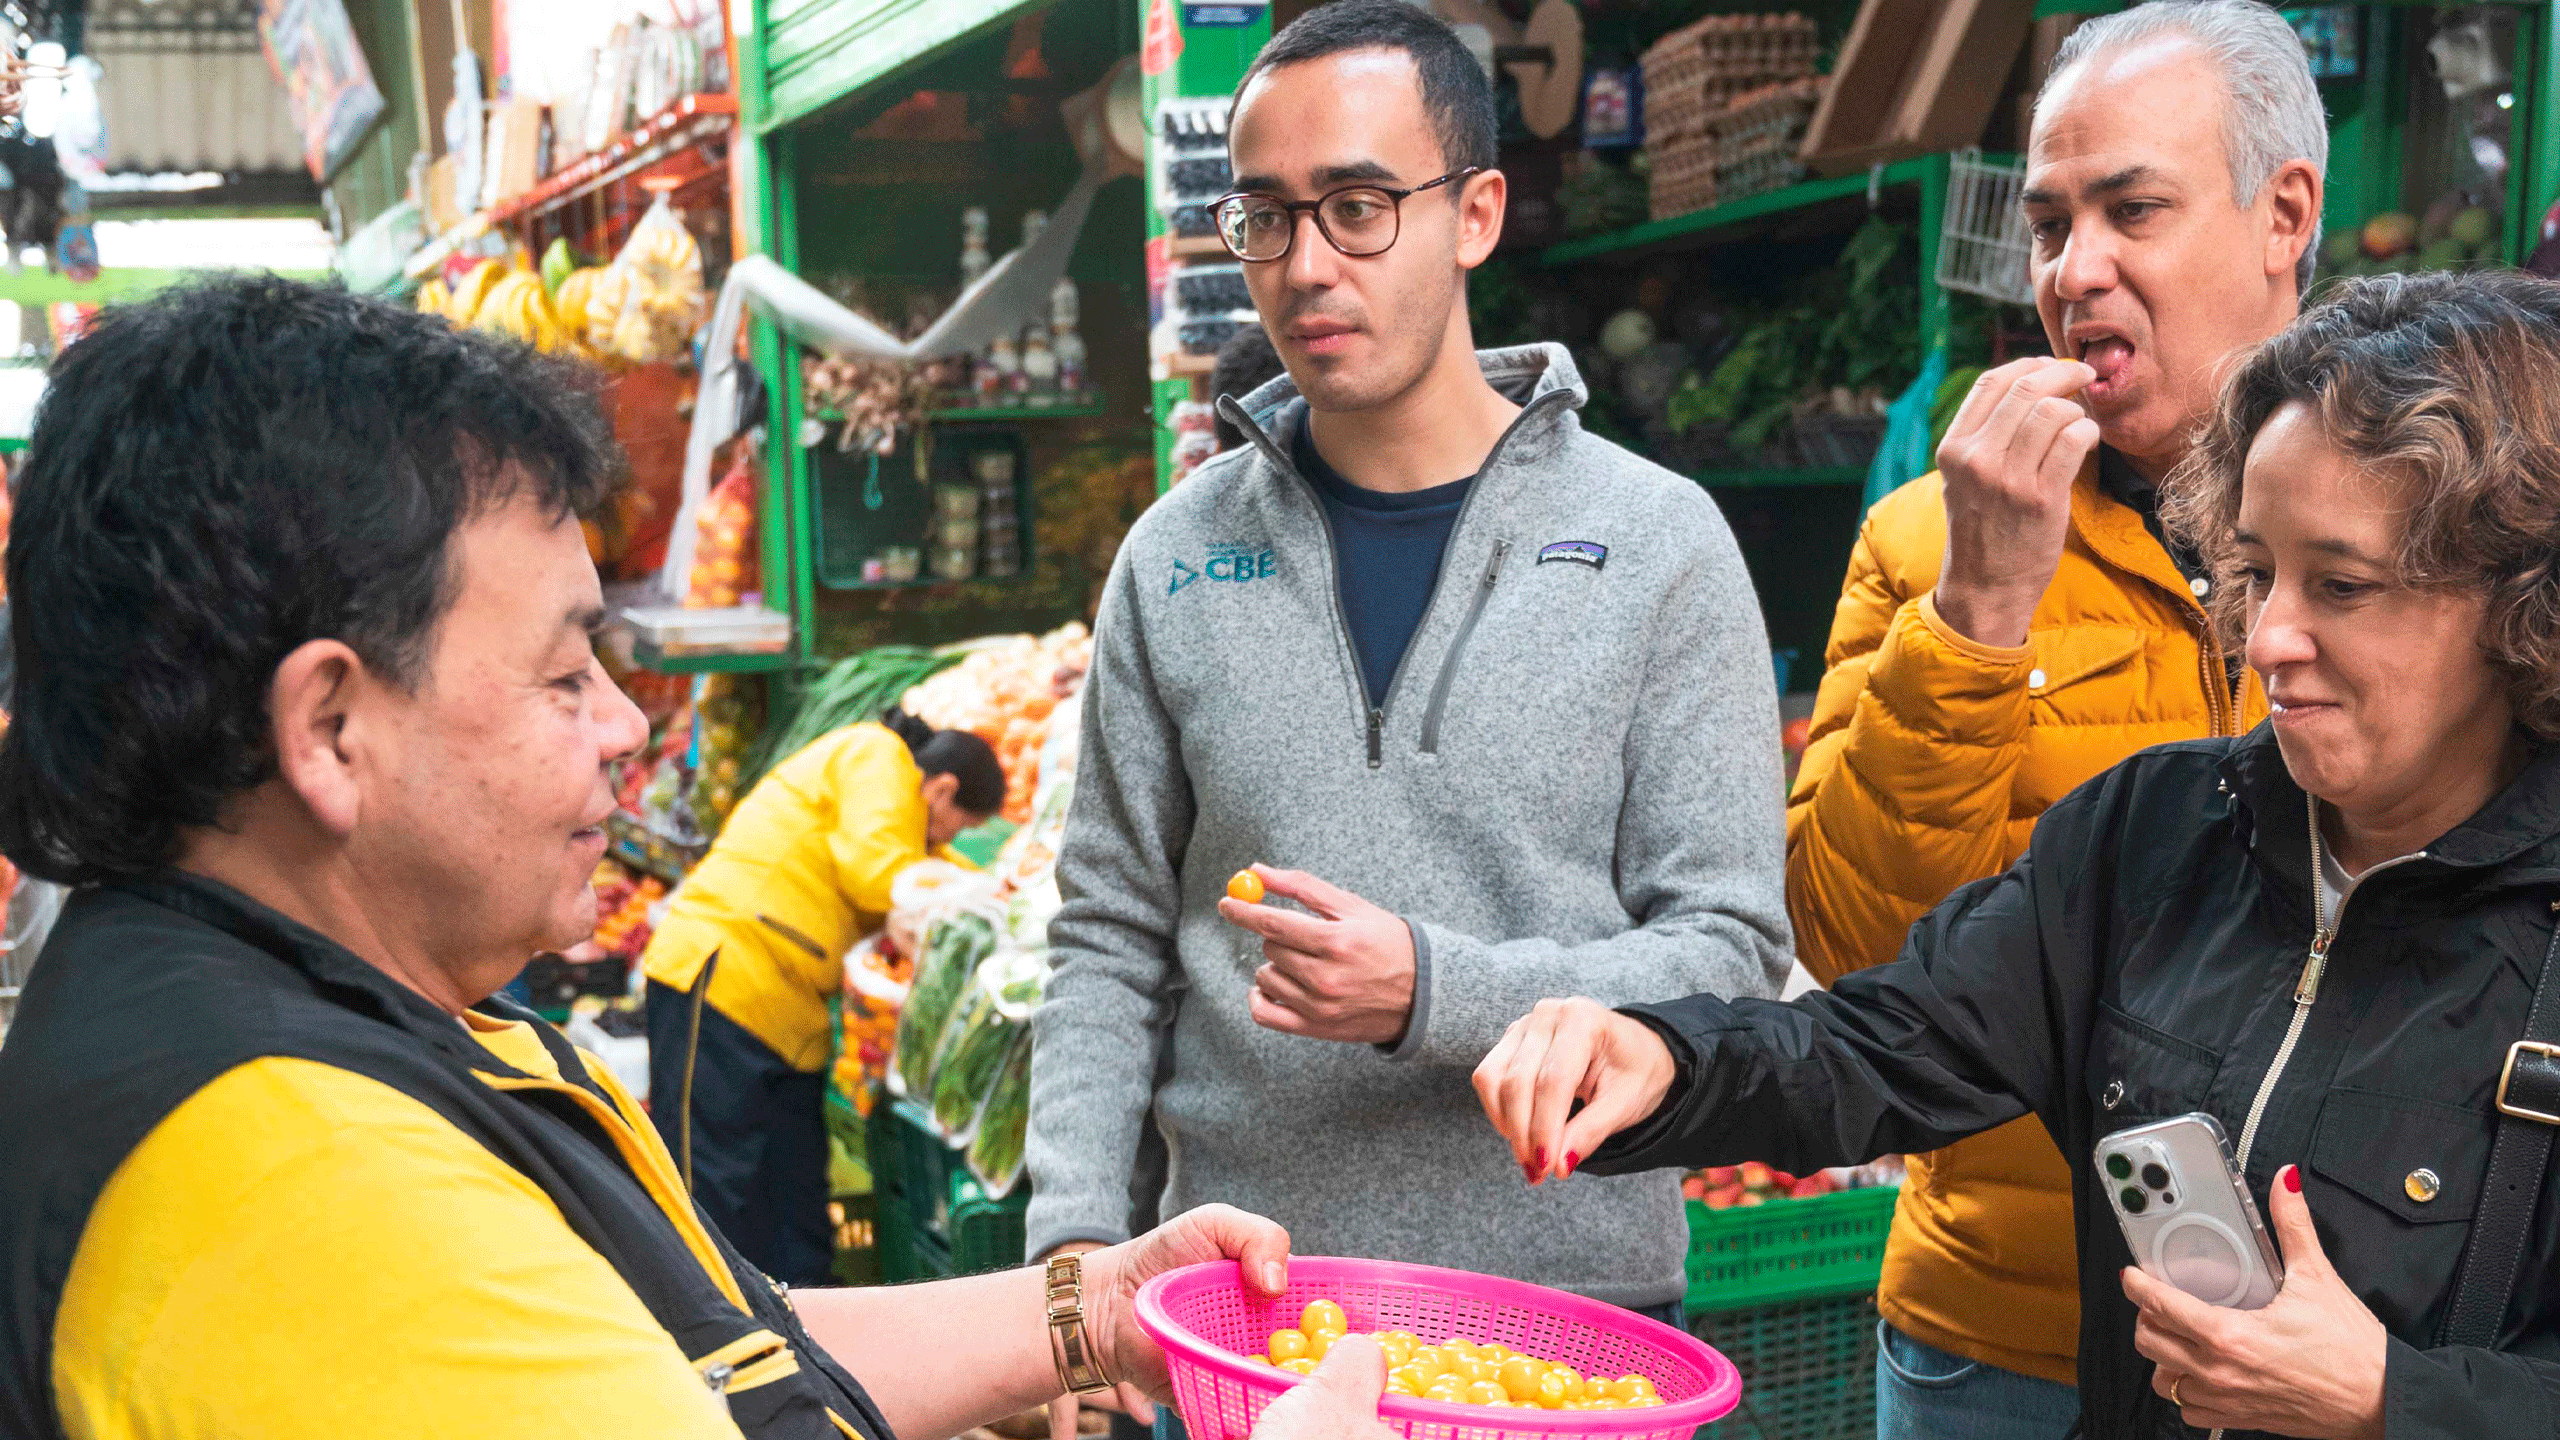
[{"x": 1929, "y": 762}]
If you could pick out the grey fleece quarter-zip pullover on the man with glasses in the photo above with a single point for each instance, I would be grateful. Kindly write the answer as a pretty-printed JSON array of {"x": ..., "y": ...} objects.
[{"x": 1573, "y": 788}]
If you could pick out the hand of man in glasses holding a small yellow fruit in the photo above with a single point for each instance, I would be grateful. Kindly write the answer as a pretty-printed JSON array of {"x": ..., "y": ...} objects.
[{"x": 1343, "y": 972}]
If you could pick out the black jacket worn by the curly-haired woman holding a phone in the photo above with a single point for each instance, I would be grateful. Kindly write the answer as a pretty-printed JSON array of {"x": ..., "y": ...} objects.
[{"x": 2141, "y": 962}]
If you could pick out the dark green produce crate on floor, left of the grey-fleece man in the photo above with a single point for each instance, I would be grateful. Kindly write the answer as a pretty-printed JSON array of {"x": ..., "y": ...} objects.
[{"x": 933, "y": 1218}]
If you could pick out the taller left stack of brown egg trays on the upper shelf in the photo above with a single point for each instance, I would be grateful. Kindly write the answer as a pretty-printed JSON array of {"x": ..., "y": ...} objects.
[{"x": 1691, "y": 78}]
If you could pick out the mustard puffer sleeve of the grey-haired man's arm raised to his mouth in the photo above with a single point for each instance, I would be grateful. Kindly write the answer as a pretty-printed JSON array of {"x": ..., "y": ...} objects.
[{"x": 1916, "y": 742}]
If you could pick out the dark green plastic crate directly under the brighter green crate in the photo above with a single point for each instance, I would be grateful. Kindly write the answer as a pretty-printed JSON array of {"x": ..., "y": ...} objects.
[{"x": 1809, "y": 1370}]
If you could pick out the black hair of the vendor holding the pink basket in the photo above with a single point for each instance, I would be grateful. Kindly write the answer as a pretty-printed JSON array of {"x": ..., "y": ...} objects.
[{"x": 221, "y": 475}]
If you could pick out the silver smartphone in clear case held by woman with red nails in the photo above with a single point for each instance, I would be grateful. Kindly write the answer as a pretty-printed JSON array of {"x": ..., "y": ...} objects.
[{"x": 2200, "y": 1231}]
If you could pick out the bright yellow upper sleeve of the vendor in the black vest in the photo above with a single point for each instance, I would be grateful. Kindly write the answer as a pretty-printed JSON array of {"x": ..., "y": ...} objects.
[{"x": 306, "y": 1254}]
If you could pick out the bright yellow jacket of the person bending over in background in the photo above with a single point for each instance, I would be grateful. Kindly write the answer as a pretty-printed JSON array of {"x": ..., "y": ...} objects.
[{"x": 797, "y": 875}]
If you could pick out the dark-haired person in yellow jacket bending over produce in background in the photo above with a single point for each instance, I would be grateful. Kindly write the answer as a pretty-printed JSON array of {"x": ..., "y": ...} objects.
[{"x": 739, "y": 1044}]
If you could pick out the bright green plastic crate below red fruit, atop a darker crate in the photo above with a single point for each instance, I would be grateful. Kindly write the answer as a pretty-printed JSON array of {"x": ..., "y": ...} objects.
[{"x": 1788, "y": 1249}]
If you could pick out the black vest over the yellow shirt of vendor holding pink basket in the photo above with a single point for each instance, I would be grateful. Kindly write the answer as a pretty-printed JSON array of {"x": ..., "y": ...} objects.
[{"x": 155, "y": 988}]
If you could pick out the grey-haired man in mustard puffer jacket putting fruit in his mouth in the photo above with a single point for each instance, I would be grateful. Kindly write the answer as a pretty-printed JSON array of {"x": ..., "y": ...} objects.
[{"x": 2016, "y": 624}]
